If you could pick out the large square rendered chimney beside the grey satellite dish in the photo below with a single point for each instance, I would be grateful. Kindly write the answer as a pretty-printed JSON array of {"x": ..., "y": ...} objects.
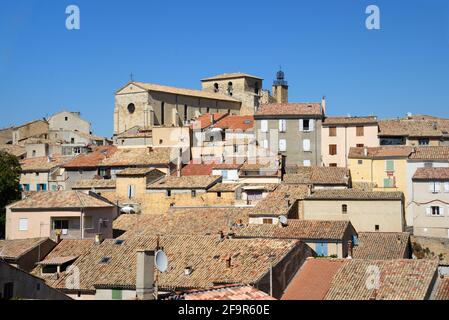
[{"x": 145, "y": 275}]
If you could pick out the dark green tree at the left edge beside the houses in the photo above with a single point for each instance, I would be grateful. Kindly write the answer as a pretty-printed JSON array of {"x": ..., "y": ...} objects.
[{"x": 9, "y": 185}]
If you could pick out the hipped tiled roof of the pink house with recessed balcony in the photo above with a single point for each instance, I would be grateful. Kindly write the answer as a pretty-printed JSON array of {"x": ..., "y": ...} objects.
[{"x": 59, "y": 199}]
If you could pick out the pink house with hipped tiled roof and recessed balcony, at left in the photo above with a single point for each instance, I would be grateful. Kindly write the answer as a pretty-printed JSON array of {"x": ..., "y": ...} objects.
[{"x": 71, "y": 214}]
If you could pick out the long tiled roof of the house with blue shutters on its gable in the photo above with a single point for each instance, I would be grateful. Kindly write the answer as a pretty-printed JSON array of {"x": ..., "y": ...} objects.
[{"x": 297, "y": 229}]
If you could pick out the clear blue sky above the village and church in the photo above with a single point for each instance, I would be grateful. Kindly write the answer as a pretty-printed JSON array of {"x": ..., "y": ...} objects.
[{"x": 323, "y": 47}]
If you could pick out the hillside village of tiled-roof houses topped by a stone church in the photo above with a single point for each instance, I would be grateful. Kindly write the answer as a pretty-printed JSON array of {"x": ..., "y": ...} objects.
[{"x": 248, "y": 196}]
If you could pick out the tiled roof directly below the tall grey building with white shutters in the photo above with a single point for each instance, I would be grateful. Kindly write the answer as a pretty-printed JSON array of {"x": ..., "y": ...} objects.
[{"x": 318, "y": 176}]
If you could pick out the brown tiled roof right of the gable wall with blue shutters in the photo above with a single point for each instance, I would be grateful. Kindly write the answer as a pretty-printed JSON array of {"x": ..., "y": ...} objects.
[{"x": 382, "y": 246}]
